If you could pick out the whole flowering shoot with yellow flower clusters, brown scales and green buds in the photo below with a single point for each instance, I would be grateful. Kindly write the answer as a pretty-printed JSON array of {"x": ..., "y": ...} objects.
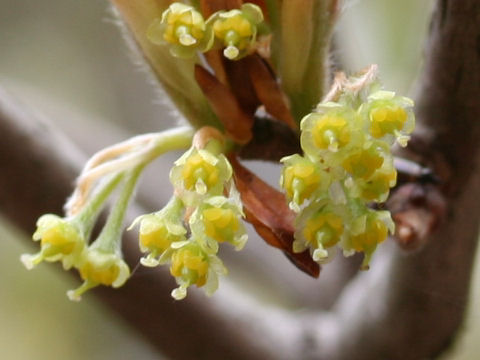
[{"x": 246, "y": 76}]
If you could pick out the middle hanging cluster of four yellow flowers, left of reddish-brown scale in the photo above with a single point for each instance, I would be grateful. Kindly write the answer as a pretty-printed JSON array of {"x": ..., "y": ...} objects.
[{"x": 204, "y": 211}]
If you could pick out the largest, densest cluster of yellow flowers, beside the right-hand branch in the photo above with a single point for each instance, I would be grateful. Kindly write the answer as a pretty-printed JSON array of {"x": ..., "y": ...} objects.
[{"x": 347, "y": 164}]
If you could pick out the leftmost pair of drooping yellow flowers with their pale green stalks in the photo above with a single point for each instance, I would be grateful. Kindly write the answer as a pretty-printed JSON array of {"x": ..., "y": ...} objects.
[{"x": 67, "y": 239}]
